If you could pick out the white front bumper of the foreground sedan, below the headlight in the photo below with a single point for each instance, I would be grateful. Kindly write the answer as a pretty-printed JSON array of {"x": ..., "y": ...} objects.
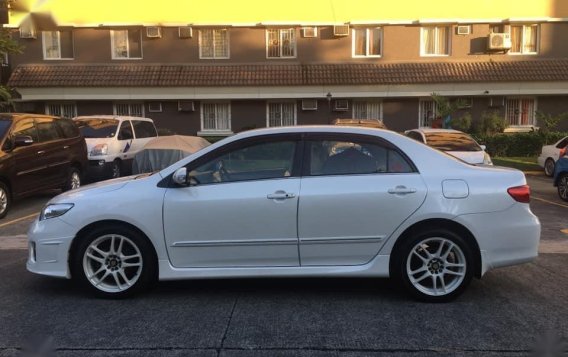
[{"x": 48, "y": 247}]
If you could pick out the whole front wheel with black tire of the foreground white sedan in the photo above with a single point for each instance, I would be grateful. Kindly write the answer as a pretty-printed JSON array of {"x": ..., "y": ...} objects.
[{"x": 127, "y": 268}]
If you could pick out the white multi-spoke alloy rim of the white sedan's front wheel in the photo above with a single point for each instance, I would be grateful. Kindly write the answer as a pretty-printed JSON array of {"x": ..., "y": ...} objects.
[{"x": 112, "y": 263}]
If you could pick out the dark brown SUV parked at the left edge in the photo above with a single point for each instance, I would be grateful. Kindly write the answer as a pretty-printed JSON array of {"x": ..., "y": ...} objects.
[{"x": 38, "y": 152}]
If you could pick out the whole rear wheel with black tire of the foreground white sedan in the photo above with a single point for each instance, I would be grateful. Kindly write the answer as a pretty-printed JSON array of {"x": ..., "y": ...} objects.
[{"x": 434, "y": 265}]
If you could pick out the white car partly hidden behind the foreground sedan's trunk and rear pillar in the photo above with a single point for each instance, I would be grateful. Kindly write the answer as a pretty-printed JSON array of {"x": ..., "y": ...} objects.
[{"x": 453, "y": 142}]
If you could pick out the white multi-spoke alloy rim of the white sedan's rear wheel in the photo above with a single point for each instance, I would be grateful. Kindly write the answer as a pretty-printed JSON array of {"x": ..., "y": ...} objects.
[{"x": 436, "y": 266}]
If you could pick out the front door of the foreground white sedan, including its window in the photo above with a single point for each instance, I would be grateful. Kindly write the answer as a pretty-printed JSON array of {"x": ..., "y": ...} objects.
[{"x": 240, "y": 208}]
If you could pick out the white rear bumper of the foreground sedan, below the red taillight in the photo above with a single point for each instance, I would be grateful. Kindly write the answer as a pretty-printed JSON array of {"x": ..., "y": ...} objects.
[{"x": 505, "y": 238}]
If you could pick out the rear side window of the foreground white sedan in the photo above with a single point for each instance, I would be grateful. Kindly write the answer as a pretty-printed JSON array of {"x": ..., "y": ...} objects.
[{"x": 350, "y": 158}]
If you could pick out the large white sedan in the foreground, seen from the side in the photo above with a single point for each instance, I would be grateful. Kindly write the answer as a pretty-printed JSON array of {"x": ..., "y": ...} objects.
[{"x": 293, "y": 202}]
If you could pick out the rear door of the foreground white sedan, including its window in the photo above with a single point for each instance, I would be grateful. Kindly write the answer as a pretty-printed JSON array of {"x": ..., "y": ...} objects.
[{"x": 355, "y": 192}]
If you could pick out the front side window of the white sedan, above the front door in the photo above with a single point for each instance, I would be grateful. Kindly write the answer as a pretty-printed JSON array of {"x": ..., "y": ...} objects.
[{"x": 255, "y": 162}]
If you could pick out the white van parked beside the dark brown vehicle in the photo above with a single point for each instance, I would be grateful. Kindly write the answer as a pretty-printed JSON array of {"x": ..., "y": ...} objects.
[{"x": 112, "y": 142}]
